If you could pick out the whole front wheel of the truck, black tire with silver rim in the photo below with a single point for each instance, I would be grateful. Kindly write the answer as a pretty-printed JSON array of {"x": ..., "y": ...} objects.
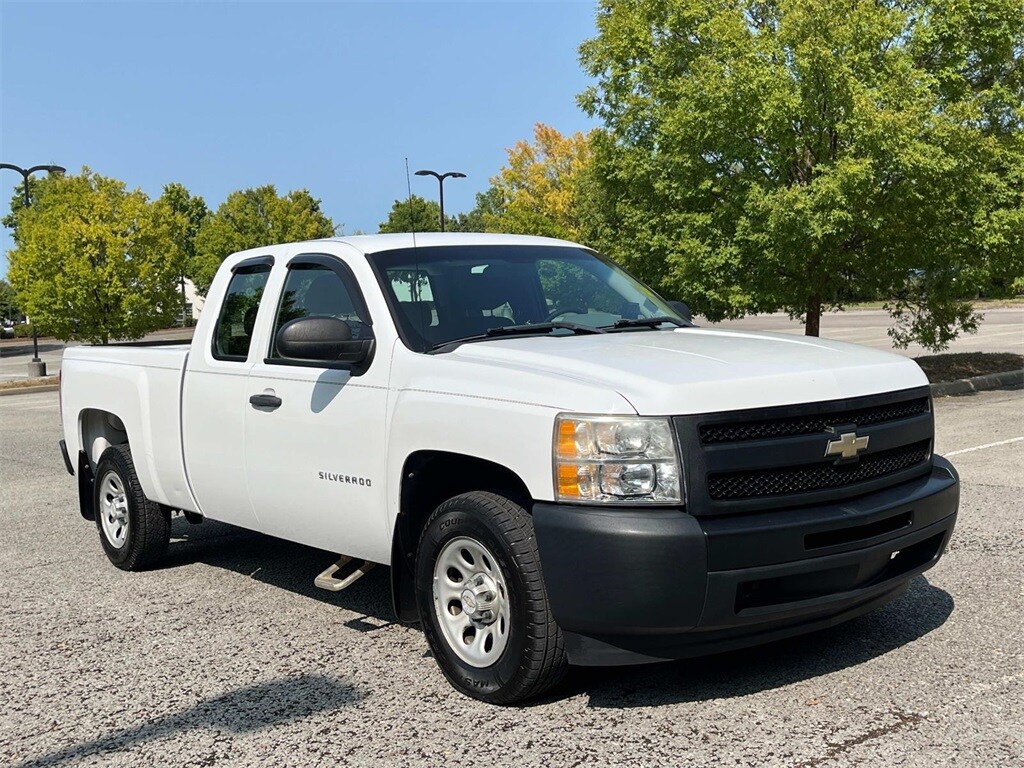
[{"x": 526, "y": 654}]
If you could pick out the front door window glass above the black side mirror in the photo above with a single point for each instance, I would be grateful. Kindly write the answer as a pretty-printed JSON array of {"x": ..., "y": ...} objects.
[{"x": 317, "y": 290}]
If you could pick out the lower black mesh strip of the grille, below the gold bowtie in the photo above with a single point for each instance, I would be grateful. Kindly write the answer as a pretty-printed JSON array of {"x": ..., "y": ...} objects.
[{"x": 736, "y": 486}]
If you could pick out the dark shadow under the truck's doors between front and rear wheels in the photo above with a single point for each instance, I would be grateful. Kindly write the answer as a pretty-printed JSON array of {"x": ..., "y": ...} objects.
[{"x": 282, "y": 565}]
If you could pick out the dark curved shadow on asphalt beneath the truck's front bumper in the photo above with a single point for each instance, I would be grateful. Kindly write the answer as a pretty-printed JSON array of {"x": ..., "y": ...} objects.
[{"x": 922, "y": 610}]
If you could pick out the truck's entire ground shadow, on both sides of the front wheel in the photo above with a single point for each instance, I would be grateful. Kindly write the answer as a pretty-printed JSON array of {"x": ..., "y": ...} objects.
[{"x": 292, "y": 567}]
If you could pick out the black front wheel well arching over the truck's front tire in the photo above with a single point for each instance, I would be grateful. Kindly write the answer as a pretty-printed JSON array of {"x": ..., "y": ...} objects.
[{"x": 429, "y": 479}]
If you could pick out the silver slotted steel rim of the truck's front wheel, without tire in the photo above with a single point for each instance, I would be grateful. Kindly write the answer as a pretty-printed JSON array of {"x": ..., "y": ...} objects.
[{"x": 472, "y": 603}]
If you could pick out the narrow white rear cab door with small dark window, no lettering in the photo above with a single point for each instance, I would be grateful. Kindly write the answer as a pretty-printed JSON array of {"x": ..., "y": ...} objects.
[{"x": 216, "y": 396}]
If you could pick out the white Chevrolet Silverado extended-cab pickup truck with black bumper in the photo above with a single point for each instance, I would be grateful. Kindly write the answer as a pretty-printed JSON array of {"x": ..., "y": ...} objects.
[{"x": 558, "y": 465}]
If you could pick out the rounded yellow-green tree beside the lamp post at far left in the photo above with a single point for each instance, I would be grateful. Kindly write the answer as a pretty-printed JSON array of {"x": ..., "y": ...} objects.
[{"x": 95, "y": 262}]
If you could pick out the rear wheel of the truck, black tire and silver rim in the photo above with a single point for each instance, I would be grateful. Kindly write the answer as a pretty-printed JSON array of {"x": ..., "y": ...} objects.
[{"x": 134, "y": 531}]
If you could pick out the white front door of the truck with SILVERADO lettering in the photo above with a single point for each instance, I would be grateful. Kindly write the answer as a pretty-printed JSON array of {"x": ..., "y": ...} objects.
[{"x": 315, "y": 454}]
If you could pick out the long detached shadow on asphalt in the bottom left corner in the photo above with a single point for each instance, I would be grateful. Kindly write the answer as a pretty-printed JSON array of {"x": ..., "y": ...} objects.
[{"x": 253, "y": 708}]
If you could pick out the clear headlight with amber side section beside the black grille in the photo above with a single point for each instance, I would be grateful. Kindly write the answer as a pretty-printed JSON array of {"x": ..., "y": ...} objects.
[{"x": 616, "y": 459}]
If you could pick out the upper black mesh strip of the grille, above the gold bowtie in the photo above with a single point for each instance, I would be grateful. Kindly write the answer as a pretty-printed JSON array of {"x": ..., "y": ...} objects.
[{"x": 794, "y": 425}]
